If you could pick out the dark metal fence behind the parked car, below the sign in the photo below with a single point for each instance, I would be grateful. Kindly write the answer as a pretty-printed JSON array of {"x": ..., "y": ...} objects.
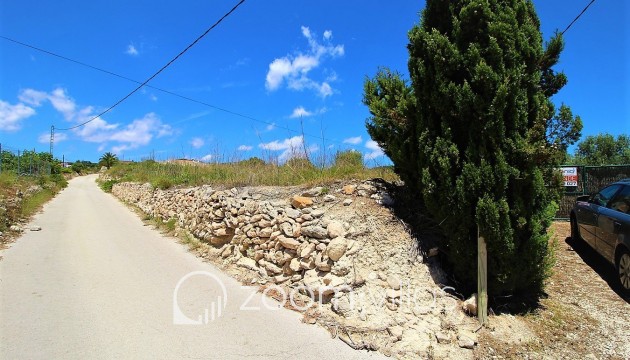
[{"x": 590, "y": 179}]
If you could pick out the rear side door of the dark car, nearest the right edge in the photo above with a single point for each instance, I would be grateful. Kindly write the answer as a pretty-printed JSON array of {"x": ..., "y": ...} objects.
[{"x": 612, "y": 221}]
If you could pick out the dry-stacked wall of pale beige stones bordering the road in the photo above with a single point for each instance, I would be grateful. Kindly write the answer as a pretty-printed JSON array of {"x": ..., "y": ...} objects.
[{"x": 283, "y": 240}]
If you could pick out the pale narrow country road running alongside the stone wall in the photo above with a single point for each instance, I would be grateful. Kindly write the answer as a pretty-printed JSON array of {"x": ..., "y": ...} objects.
[{"x": 96, "y": 283}]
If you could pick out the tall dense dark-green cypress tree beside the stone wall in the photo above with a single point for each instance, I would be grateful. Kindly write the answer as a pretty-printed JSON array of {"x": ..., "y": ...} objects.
[{"x": 476, "y": 135}]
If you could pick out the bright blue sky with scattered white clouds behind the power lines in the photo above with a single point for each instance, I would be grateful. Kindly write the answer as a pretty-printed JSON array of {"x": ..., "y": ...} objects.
[{"x": 289, "y": 67}]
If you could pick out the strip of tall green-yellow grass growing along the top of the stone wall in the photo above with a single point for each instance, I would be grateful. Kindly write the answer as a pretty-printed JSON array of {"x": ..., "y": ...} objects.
[{"x": 243, "y": 173}]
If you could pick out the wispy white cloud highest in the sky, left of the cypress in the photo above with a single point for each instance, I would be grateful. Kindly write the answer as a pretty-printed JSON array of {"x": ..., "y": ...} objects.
[{"x": 294, "y": 69}]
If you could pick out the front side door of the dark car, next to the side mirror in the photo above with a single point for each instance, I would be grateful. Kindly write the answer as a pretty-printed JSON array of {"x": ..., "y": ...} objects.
[{"x": 588, "y": 216}]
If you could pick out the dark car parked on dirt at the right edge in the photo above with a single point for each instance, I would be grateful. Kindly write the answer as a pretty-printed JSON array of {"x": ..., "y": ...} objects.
[{"x": 603, "y": 221}]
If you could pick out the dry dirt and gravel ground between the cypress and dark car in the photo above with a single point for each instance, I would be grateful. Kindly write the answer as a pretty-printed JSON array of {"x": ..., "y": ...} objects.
[{"x": 583, "y": 317}]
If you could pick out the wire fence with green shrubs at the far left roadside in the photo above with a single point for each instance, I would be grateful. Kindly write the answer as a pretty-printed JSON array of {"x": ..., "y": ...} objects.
[{"x": 25, "y": 162}]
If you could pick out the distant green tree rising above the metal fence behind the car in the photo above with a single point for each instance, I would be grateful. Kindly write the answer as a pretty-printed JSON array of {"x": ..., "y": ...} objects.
[{"x": 603, "y": 149}]
